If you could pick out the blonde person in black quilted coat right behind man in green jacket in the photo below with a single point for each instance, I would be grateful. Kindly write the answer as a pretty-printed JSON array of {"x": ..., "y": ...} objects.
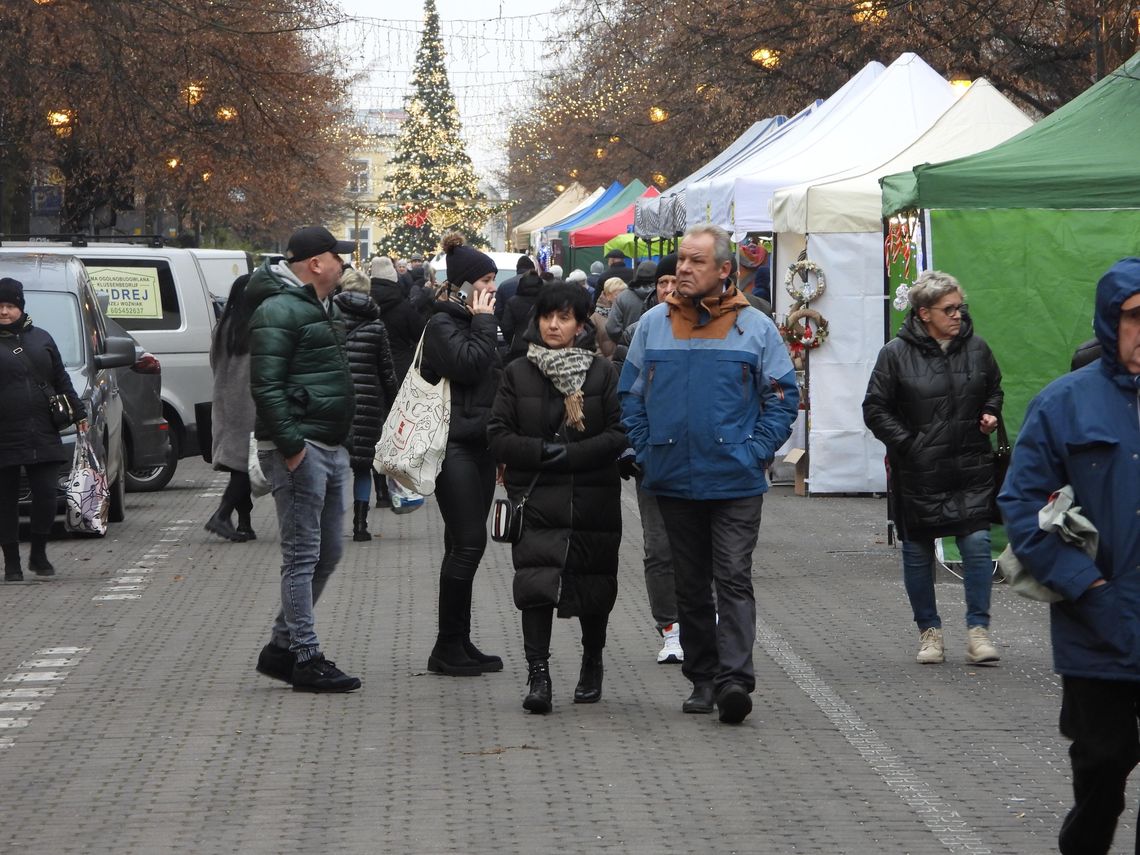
[{"x": 374, "y": 384}]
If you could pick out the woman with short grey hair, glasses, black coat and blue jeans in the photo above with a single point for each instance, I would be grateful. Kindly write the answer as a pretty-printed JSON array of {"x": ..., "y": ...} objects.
[{"x": 933, "y": 400}]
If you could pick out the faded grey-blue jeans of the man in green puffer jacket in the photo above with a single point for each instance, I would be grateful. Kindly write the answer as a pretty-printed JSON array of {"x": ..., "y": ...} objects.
[{"x": 311, "y": 501}]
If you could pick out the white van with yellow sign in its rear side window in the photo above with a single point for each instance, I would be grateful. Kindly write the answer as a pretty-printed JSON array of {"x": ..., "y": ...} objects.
[{"x": 160, "y": 296}]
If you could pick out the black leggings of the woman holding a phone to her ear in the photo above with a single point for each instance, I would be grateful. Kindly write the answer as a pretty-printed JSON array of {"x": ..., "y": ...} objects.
[{"x": 465, "y": 491}]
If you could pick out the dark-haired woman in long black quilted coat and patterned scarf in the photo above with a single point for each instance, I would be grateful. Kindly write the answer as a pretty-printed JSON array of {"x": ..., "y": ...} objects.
[{"x": 558, "y": 416}]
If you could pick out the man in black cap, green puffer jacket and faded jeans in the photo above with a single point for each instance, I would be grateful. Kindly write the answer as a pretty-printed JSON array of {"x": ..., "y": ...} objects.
[{"x": 303, "y": 390}]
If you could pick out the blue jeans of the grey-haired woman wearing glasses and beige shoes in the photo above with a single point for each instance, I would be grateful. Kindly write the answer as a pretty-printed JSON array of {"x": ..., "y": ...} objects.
[{"x": 978, "y": 573}]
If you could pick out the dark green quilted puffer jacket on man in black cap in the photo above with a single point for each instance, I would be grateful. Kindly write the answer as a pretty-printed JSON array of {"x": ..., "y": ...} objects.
[{"x": 299, "y": 372}]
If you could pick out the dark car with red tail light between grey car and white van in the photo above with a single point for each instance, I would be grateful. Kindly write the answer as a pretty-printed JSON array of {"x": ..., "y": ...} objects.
[{"x": 146, "y": 434}]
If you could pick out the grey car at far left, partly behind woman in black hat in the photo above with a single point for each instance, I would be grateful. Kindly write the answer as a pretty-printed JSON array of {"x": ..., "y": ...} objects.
[{"x": 61, "y": 300}]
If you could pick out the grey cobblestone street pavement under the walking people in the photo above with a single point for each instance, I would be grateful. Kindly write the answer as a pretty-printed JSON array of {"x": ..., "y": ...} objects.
[{"x": 132, "y": 720}]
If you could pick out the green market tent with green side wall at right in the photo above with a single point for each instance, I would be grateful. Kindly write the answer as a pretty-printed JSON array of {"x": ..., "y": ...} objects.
[{"x": 1030, "y": 225}]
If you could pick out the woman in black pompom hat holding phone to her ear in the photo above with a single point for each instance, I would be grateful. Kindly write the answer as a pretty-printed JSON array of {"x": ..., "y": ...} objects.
[{"x": 461, "y": 344}]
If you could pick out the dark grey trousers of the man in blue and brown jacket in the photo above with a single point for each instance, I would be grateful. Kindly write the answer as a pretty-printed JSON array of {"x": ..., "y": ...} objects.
[{"x": 713, "y": 543}]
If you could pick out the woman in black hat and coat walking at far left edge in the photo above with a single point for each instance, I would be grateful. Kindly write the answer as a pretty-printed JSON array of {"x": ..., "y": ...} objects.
[{"x": 28, "y": 437}]
